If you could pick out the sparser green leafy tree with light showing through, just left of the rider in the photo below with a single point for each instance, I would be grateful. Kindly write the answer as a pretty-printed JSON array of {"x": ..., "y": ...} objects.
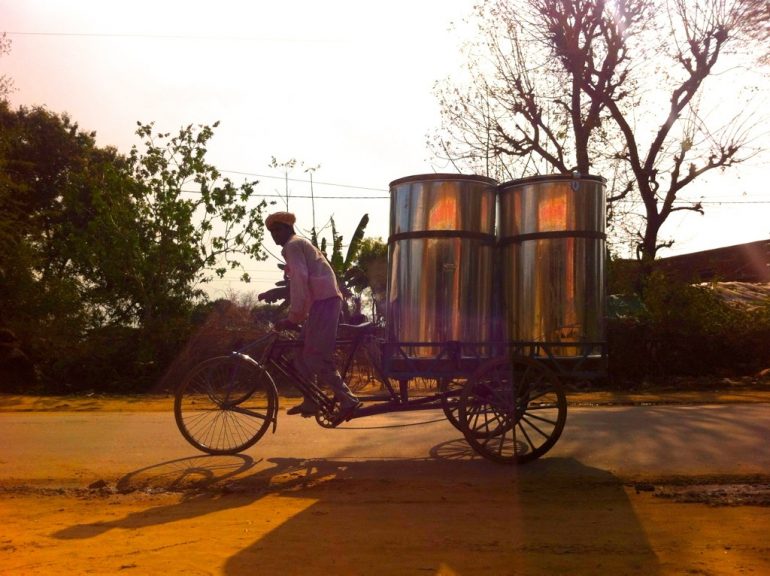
[{"x": 175, "y": 223}]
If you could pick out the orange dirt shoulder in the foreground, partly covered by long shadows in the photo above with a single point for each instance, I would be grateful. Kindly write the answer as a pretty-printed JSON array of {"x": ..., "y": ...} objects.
[{"x": 379, "y": 518}]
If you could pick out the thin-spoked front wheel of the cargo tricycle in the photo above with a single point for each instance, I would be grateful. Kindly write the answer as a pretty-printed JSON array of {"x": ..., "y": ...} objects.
[{"x": 225, "y": 405}]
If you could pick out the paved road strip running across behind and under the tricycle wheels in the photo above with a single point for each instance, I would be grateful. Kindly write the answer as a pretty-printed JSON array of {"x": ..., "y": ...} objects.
[{"x": 77, "y": 448}]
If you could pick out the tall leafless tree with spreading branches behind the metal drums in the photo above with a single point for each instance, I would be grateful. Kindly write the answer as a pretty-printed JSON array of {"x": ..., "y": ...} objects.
[{"x": 614, "y": 87}]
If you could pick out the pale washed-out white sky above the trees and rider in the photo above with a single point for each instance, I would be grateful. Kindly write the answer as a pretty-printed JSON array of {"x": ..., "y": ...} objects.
[{"x": 346, "y": 84}]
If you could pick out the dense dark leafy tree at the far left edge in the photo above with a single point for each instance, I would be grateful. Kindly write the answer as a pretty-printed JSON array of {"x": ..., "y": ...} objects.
[{"x": 49, "y": 171}]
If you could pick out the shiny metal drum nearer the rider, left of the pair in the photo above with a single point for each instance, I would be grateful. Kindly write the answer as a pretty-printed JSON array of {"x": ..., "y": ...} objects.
[{"x": 441, "y": 250}]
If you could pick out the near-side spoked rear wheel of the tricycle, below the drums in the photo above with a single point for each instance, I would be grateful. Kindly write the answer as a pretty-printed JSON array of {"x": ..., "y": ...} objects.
[{"x": 512, "y": 410}]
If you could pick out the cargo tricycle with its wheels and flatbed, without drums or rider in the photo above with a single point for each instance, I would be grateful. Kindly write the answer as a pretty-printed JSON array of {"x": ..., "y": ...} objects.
[{"x": 507, "y": 398}]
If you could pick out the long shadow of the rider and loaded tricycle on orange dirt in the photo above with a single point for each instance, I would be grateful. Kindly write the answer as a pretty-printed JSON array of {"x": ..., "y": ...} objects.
[{"x": 451, "y": 513}]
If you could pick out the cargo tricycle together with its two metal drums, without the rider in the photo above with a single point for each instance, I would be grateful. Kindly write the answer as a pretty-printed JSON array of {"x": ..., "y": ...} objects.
[{"x": 497, "y": 316}]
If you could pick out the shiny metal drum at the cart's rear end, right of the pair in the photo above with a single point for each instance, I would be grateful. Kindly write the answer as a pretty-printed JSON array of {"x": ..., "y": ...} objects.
[{"x": 552, "y": 243}]
